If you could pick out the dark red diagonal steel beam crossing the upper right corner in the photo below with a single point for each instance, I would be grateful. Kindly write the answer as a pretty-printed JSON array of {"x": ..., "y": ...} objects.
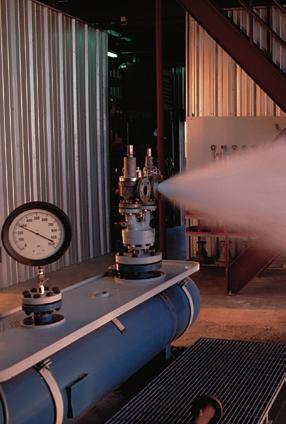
[{"x": 268, "y": 76}]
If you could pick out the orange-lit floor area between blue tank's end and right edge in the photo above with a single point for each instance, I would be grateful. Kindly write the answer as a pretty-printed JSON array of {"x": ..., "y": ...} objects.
[{"x": 257, "y": 313}]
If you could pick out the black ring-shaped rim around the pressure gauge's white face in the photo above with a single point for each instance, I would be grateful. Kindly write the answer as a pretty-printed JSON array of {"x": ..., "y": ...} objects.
[{"x": 50, "y": 208}]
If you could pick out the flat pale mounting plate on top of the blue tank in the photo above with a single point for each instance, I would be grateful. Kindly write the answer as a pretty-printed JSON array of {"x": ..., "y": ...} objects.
[{"x": 84, "y": 312}]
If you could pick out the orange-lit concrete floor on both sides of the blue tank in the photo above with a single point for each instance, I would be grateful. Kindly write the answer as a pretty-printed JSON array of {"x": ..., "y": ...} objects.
[{"x": 258, "y": 312}]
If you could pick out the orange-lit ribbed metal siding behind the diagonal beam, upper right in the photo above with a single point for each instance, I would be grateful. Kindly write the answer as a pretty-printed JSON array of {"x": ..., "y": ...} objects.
[{"x": 216, "y": 85}]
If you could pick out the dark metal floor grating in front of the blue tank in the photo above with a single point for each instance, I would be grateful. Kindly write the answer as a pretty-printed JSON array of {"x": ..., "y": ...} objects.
[{"x": 243, "y": 375}]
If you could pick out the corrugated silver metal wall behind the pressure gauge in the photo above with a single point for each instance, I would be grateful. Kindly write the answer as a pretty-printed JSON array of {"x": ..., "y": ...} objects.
[{"x": 53, "y": 125}]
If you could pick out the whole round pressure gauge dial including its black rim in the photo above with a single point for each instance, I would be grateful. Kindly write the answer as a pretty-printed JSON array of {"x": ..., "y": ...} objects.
[{"x": 36, "y": 233}]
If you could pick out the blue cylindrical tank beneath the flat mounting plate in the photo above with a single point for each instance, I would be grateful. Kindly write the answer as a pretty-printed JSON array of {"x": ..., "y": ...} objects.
[{"x": 93, "y": 366}]
